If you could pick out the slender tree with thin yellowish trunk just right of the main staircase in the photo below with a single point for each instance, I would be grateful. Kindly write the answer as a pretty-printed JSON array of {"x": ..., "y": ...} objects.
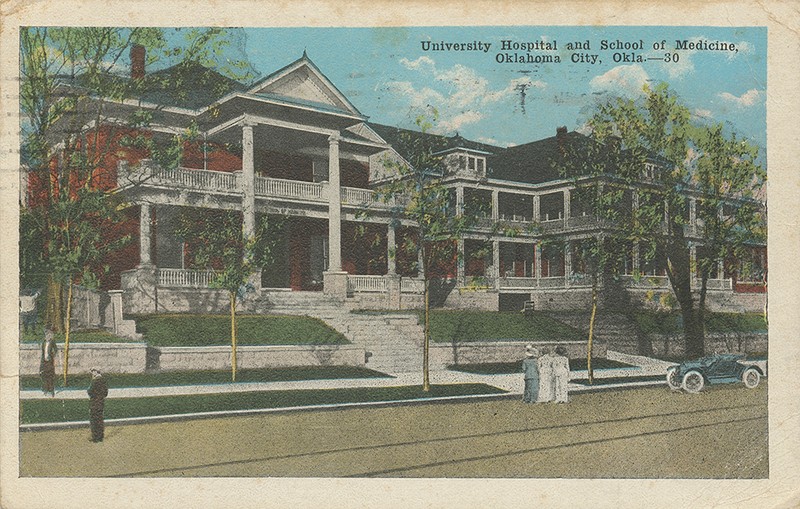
[{"x": 420, "y": 195}]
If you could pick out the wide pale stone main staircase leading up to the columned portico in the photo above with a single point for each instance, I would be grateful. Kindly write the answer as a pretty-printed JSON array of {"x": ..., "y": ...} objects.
[{"x": 392, "y": 342}]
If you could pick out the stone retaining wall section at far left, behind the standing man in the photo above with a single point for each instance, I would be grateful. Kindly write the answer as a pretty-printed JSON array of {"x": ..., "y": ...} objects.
[{"x": 107, "y": 357}]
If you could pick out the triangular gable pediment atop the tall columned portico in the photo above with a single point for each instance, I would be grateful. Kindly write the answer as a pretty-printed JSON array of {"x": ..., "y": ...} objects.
[{"x": 303, "y": 82}]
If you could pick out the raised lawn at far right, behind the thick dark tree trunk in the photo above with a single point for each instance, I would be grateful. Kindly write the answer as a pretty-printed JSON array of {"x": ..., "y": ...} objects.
[{"x": 651, "y": 322}]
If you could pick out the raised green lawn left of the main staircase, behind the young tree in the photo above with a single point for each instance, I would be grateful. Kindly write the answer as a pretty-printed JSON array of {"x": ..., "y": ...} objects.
[{"x": 209, "y": 330}]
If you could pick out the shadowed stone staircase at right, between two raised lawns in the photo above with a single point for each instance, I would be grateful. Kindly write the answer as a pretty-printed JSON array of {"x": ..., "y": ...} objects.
[{"x": 614, "y": 329}]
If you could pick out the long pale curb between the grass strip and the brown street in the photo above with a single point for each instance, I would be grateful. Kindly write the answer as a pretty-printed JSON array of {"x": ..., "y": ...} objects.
[{"x": 326, "y": 407}]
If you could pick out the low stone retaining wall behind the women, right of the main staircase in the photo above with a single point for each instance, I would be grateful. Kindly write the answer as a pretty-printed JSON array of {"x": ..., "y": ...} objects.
[{"x": 503, "y": 351}]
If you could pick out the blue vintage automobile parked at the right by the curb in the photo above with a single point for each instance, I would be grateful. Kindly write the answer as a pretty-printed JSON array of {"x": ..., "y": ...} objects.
[{"x": 692, "y": 376}]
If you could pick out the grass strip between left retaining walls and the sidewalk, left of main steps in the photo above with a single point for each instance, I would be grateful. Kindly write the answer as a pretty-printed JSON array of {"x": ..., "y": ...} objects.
[{"x": 172, "y": 378}]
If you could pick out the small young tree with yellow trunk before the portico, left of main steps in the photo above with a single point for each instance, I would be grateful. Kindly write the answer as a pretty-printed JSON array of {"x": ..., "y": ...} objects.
[{"x": 217, "y": 242}]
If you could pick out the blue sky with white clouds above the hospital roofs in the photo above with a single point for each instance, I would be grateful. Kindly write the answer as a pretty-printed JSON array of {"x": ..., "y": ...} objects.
[{"x": 388, "y": 76}]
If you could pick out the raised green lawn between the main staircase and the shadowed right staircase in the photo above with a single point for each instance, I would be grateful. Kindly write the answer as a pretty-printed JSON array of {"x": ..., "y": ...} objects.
[{"x": 452, "y": 326}]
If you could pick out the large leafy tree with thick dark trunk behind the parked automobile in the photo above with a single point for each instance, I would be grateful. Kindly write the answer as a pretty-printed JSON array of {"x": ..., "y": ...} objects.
[{"x": 683, "y": 159}]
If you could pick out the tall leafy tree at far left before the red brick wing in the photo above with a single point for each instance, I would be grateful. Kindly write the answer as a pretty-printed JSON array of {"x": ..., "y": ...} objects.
[{"x": 69, "y": 87}]
